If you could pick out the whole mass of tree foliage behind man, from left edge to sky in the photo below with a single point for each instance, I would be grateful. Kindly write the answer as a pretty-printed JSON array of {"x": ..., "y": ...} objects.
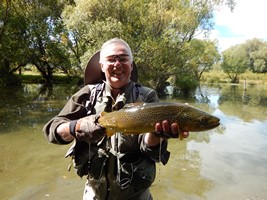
[{"x": 62, "y": 35}]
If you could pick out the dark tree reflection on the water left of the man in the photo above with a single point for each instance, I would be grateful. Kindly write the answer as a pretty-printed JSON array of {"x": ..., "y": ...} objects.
[{"x": 30, "y": 105}]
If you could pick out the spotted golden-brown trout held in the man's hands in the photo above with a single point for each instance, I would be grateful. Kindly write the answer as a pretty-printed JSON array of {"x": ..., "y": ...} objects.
[{"x": 137, "y": 118}]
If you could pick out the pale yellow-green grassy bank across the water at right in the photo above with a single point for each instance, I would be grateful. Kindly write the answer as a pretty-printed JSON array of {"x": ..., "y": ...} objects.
[{"x": 220, "y": 77}]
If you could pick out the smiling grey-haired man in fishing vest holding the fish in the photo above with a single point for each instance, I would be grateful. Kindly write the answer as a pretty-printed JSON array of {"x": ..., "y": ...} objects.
[{"x": 122, "y": 166}]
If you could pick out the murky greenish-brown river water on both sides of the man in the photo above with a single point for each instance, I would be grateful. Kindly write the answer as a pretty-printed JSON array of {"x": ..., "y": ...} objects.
[{"x": 229, "y": 162}]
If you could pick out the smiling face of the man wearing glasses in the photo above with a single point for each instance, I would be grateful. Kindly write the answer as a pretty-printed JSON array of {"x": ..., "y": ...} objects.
[{"x": 117, "y": 65}]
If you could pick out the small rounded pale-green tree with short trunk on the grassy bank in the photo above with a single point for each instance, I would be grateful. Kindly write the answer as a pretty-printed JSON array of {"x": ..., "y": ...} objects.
[{"x": 235, "y": 62}]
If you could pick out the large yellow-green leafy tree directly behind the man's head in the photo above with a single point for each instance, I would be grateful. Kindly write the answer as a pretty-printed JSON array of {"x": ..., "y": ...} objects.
[{"x": 157, "y": 31}]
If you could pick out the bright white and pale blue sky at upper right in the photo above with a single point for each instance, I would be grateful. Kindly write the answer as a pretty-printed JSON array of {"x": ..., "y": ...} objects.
[{"x": 247, "y": 21}]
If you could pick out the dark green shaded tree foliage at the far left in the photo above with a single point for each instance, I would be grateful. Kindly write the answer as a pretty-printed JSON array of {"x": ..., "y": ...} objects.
[{"x": 31, "y": 34}]
